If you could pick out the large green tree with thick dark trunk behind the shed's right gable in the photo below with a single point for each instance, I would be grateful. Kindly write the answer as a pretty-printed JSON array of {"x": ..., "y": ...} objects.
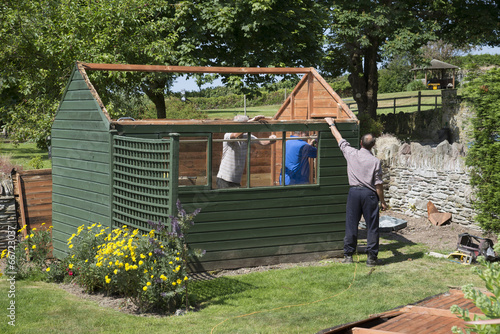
[{"x": 363, "y": 33}]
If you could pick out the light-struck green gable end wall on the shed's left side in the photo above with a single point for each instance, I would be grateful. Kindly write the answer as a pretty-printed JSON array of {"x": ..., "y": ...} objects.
[{"x": 80, "y": 164}]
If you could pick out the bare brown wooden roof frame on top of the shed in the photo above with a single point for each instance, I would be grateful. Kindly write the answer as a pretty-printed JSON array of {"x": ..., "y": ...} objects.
[{"x": 343, "y": 114}]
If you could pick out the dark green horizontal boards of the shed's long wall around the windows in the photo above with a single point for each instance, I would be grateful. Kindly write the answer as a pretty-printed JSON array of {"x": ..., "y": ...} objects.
[{"x": 256, "y": 226}]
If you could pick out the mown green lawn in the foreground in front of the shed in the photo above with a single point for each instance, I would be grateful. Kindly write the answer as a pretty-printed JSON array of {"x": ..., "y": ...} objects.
[{"x": 295, "y": 300}]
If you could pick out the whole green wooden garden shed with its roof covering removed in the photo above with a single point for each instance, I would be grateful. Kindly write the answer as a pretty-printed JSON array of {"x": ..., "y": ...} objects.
[{"x": 126, "y": 172}]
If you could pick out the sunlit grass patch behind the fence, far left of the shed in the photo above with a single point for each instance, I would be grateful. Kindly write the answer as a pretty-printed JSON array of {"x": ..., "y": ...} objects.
[{"x": 23, "y": 153}]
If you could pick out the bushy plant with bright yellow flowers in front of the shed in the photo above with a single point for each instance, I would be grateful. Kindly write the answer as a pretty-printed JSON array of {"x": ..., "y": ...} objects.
[{"x": 150, "y": 269}]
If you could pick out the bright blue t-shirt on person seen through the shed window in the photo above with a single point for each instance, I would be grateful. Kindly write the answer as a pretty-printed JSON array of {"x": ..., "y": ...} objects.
[{"x": 297, "y": 157}]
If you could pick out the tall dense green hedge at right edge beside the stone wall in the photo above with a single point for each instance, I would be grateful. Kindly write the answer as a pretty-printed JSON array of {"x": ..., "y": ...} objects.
[{"x": 483, "y": 94}]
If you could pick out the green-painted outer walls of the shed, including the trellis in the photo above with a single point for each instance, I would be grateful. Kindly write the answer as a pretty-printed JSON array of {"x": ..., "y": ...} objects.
[{"x": 96, "y": 181}]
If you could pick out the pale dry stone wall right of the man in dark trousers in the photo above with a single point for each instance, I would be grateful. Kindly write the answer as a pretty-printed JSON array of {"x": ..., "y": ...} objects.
[{"x": 415, "y": 174}]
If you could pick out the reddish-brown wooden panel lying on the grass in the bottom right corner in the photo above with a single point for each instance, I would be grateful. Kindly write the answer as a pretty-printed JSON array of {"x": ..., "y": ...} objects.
[{"x": 430, "y": 316}]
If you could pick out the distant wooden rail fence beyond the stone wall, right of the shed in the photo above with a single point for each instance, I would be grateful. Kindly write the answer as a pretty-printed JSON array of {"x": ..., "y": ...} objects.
[{"x": 410, "y": 103}]
